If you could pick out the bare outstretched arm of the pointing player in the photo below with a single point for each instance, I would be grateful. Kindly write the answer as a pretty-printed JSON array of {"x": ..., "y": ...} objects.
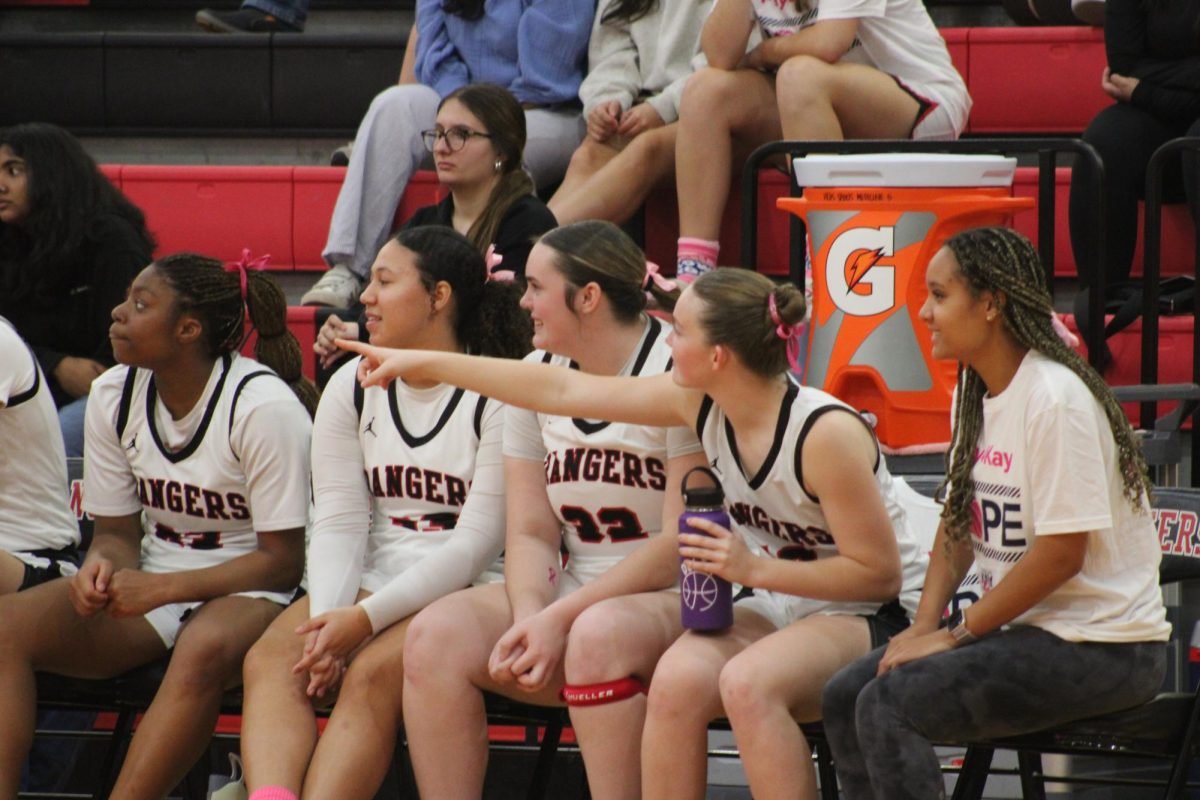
[{"x": 655, "y": 400}]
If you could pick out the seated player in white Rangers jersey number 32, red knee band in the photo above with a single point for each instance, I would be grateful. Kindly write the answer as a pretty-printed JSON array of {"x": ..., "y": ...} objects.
[{"x": 602, "y": 491}]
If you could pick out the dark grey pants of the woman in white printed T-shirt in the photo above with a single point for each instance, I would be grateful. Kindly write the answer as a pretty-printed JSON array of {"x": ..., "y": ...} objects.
[{"x": 1015, "y": 682}]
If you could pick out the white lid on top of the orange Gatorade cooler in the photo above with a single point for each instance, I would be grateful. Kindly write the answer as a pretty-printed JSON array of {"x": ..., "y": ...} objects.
[{"x": 904, "y": 170}]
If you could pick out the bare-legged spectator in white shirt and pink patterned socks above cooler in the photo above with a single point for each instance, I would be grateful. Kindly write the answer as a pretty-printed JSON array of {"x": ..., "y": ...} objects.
[{"x": 826, "y": 70}]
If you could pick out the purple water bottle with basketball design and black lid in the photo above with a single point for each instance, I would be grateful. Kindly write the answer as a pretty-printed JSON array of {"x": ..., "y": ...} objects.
[{"x": 706, "y": 601}]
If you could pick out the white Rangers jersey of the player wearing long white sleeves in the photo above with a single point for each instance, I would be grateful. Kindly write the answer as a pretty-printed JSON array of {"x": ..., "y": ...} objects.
[{"x": 419, "y": 449}]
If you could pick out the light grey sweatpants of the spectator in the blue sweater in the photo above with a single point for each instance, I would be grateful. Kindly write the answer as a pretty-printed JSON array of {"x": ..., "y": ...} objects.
[{"x": 388, "y": 151}]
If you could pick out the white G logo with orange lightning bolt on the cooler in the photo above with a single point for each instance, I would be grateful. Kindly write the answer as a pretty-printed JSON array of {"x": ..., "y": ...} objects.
[{"x": 860, "y": 282}]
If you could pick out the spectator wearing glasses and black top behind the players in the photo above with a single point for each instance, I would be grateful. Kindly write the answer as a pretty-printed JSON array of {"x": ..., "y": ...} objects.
[{"x": 477, "y": 146}]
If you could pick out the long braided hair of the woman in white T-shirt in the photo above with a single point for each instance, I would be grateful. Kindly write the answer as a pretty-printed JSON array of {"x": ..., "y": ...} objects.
[{"x": 1005, "y": 263}]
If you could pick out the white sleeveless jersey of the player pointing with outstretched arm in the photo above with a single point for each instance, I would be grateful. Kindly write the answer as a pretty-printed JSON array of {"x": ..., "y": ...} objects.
[{"x": 773, "y": 512}]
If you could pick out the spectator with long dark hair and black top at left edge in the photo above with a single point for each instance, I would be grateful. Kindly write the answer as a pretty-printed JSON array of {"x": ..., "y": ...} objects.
[{"x": 70, "y": 246}]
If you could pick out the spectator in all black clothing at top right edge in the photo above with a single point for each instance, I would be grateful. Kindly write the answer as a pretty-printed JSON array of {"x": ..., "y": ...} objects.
[{"x": 1154, "y": 74}]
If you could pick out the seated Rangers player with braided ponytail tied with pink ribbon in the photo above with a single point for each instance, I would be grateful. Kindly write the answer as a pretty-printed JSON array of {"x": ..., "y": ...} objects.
[{"x": 197, "y": 476}]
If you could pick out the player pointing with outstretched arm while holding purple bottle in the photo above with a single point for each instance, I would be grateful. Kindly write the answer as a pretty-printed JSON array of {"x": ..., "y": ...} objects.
[{"x": 806, "y": 486}]
